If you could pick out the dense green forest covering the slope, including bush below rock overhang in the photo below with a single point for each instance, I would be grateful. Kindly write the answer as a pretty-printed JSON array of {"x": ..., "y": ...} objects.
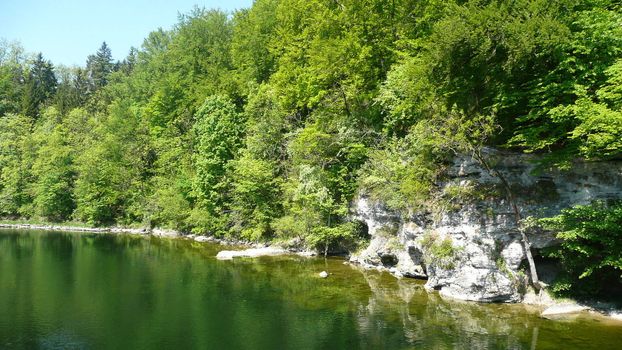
[{"x": 265, "y": 123}]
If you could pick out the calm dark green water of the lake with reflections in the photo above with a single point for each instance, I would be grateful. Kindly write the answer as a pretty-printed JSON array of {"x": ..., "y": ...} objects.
[{"x": 93, "y": 291}]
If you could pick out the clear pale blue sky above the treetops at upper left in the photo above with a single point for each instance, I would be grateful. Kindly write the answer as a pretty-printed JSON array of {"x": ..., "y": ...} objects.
[{"x": 67, "y": 31}]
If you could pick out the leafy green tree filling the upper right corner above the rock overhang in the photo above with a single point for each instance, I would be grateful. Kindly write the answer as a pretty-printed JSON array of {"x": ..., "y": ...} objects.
[{"x": 564, "y": 99}]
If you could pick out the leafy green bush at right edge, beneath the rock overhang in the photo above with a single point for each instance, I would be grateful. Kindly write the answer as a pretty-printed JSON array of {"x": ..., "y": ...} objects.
[{"x": 590, "y": 249}]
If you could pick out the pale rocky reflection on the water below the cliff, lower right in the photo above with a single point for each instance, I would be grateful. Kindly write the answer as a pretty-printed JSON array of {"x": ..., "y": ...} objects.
[{"x": 429, "y": 321}]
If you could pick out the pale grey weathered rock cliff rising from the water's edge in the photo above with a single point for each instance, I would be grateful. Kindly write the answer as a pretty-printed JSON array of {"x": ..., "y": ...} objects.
[{"x": 467, "y": 244}]
